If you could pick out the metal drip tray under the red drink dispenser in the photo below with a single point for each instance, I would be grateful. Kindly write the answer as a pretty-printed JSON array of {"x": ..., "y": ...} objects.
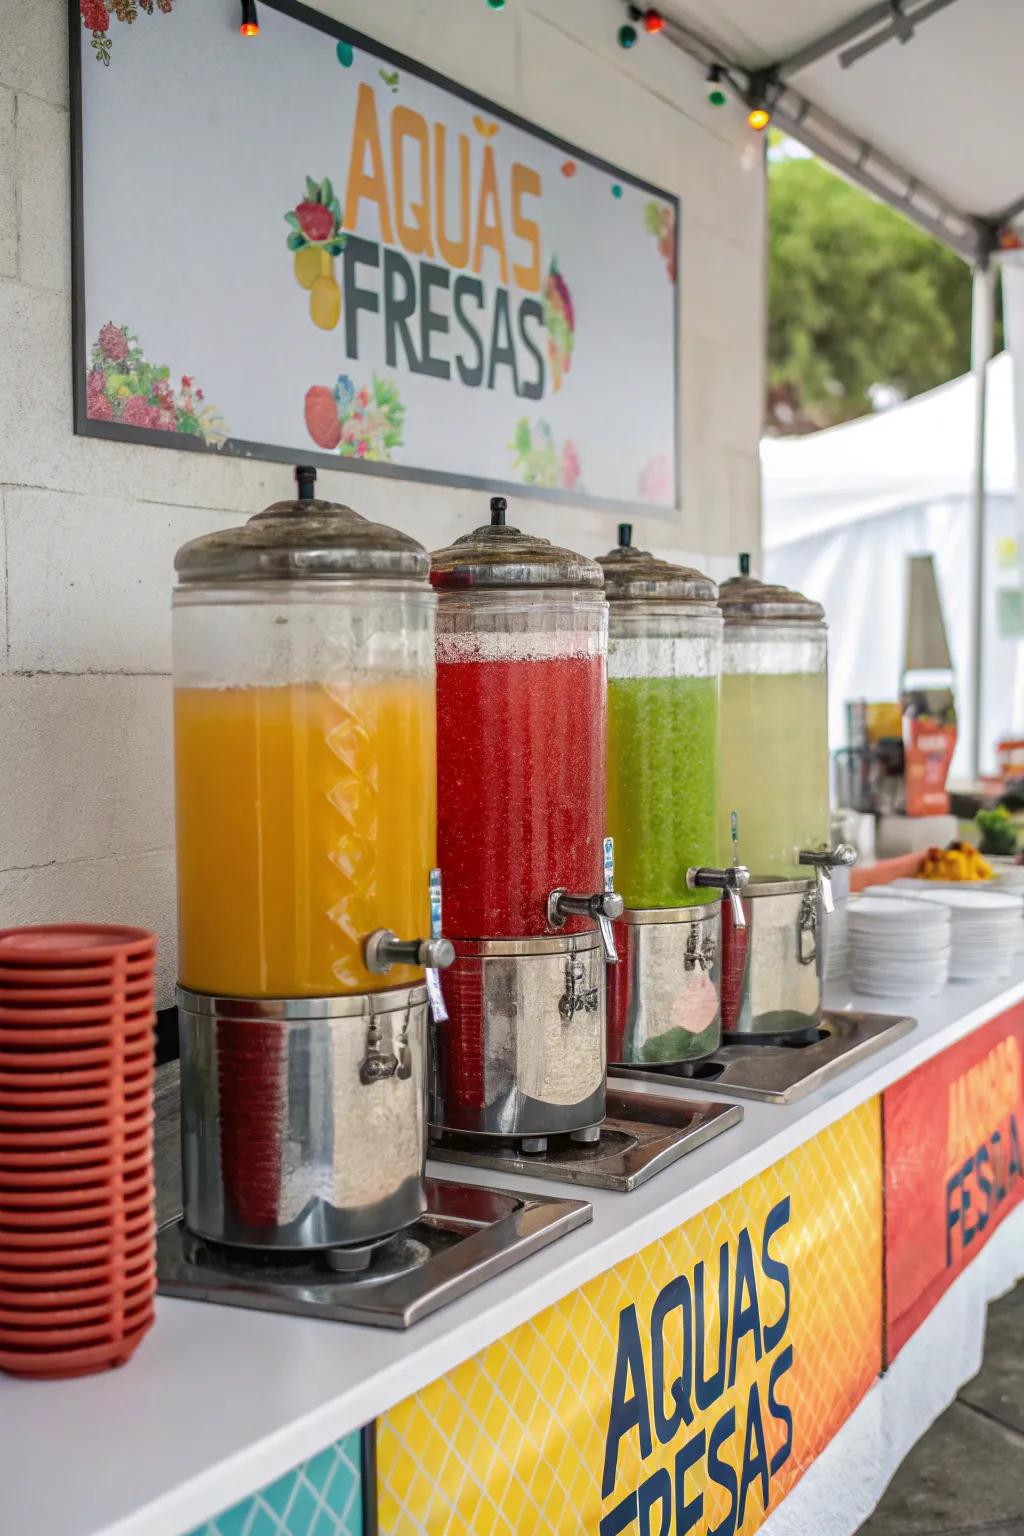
[{"x": 642, "y": 1134}]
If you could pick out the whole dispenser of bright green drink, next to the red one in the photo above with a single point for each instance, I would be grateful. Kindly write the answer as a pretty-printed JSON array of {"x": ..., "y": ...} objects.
[{"x": 664, "y": 663}]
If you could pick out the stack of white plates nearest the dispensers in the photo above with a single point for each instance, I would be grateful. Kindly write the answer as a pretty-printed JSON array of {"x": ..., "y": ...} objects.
[{"x": 899, "y": 947}]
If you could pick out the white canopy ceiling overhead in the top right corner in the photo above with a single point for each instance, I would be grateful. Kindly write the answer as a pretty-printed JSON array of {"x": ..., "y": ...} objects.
[{"x": 933, "y": 121}]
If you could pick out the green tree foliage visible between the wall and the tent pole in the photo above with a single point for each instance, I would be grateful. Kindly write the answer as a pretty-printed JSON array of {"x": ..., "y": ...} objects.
[{"x": 859, "y": 297}]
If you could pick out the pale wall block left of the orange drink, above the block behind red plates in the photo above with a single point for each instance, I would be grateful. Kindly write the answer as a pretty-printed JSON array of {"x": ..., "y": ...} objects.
[{"x": 87, "y": 769}]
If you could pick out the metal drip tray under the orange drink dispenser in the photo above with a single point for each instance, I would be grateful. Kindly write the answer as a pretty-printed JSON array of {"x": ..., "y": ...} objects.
[{"x": 466, "y": 1236}]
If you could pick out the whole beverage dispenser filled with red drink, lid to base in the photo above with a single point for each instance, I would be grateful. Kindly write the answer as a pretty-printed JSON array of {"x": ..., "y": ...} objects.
[{"x": 521, "y": 838}]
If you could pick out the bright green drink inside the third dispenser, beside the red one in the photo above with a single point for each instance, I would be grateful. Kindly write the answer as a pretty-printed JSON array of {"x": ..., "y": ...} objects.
[{"x": 662, "y": 786}]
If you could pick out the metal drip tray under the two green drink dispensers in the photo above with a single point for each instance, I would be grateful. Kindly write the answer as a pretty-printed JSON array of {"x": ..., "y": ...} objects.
[{"x": 785, "y": 1073}]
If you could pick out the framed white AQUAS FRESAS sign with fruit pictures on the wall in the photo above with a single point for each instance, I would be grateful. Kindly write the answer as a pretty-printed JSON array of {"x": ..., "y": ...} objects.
[{"x": 303, "y": 247}]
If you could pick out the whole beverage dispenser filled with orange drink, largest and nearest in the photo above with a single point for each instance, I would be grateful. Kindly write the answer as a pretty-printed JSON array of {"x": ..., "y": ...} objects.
[{"x": 305, "y": 763}]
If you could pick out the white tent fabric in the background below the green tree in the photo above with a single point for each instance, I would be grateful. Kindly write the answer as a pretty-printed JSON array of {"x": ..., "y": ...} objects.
[{"x": 847, "y": 506}]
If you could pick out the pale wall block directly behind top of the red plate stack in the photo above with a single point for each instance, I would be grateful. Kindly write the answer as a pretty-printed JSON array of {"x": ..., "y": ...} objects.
[{"x": 134, "y": 890}]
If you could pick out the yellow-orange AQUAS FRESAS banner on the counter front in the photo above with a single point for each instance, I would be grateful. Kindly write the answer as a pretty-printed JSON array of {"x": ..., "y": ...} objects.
[{"x": 684, "y": 1391}]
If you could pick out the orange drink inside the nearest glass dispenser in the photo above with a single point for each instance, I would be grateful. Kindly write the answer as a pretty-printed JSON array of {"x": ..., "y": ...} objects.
[{"x": 305, "y": 821}]
